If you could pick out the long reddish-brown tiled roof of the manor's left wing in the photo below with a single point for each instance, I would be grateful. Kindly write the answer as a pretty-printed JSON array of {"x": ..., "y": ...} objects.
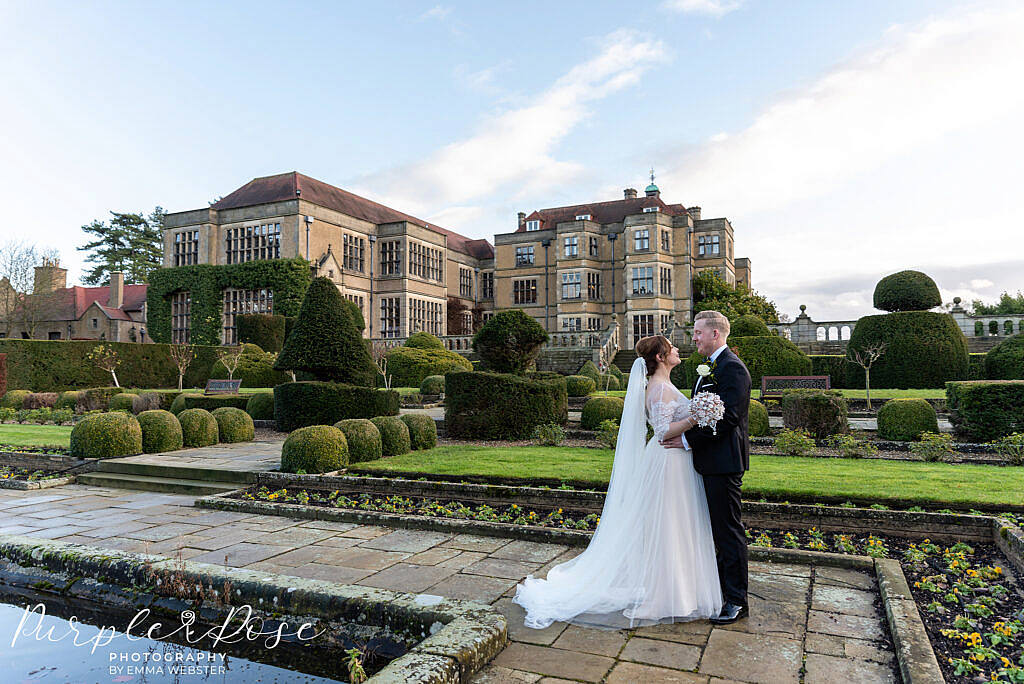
[{"x": 283, "y": 187}]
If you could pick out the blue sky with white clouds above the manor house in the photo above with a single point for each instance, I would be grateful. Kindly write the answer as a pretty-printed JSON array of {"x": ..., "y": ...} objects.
[{"x": 844, "y": 141}]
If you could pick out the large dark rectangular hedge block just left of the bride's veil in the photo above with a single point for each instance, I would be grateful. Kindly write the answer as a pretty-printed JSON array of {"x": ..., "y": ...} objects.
[{"x": 502, "y": 406}]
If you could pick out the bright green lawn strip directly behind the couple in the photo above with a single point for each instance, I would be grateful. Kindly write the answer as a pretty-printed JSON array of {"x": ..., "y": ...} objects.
[{"x": 779, "y": 479}]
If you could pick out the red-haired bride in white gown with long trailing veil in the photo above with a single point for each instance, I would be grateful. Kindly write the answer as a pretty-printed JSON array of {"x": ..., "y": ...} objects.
[{"x": 652, "y": 559}]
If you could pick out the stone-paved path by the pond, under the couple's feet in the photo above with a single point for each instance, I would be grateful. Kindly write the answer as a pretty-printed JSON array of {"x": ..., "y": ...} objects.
[{"x": 826, "y": 620}]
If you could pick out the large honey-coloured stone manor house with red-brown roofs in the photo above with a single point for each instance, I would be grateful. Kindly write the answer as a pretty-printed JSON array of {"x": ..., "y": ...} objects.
[{"x": 625, "y": 264}]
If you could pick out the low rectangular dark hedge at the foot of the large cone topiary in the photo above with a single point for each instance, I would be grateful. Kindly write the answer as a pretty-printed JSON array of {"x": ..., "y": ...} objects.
[{"x": 301, "y": 404}]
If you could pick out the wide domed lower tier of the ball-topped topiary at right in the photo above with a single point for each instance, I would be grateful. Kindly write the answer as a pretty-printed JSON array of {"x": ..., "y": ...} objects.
[{"x": 924, "y": 351}]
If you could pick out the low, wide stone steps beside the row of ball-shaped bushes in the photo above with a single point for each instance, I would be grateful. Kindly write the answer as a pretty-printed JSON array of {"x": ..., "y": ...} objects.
[{"x": 168, "y": 480}]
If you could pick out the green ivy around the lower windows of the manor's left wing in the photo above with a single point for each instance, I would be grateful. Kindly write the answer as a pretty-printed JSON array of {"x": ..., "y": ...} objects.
[{"x": 288, "y": 279}]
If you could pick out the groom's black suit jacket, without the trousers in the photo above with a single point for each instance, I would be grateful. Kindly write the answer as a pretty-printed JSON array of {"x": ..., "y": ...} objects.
[{"x": 728, "y": 452}]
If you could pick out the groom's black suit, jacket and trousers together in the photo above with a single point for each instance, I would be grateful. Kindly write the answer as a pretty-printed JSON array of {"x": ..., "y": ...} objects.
[{"x": 722, "y": 459}]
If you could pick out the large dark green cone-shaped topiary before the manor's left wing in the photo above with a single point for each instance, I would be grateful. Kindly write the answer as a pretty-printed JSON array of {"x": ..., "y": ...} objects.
[{"x": 326, "y": 343}]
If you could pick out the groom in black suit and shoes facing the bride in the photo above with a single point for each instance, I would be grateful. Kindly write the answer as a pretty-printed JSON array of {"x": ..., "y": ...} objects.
[{"x": 723, "y": 457}]
